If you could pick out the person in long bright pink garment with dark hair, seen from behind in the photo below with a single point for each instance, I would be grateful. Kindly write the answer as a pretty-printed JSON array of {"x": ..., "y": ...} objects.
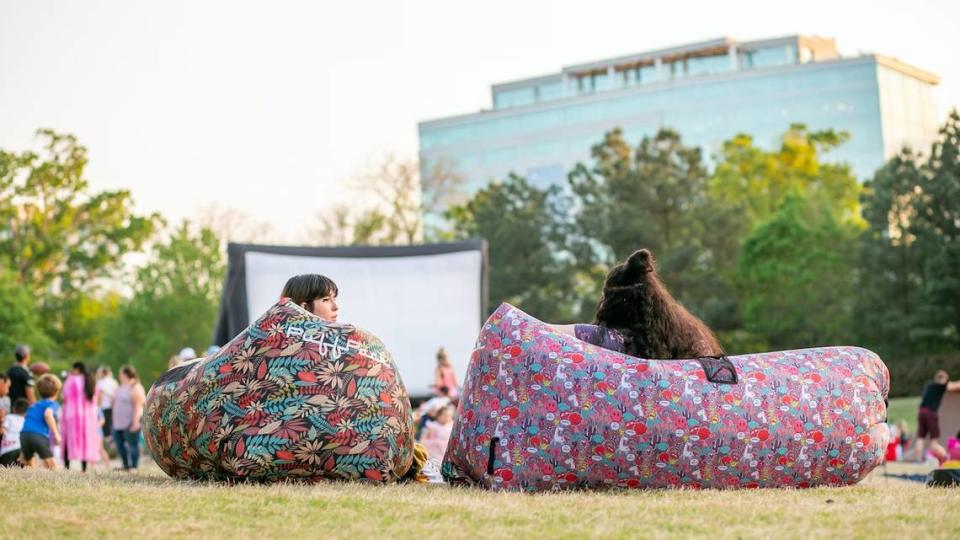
[{"x": 79, "y": 422}]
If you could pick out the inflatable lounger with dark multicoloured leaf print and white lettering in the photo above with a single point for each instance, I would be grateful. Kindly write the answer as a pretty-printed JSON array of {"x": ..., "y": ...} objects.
[{"x": 292, "y": 396}]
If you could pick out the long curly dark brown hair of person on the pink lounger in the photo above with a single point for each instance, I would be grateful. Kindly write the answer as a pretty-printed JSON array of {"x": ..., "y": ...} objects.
[{"x": 653, "y": 324}]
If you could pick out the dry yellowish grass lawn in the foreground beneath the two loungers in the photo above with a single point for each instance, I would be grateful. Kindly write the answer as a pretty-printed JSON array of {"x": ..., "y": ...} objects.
[{"x": 107, "y": 504}]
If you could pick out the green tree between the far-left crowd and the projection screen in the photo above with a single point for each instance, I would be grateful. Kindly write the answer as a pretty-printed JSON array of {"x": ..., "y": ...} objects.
[{"x": 175, "y": 302}]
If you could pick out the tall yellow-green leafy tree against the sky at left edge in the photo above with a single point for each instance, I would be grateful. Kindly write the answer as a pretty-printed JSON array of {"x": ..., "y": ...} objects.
[{"x": 58, "y": 234}]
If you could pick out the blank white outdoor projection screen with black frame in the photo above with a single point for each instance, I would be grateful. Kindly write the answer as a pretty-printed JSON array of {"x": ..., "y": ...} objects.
[{"x": 415, "y": 298}]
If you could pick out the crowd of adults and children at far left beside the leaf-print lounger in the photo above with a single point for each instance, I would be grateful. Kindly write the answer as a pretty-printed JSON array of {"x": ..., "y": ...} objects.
[{"x": 78, "y": 418}]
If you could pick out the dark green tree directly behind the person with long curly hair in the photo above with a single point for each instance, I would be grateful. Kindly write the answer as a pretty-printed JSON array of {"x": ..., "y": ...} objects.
[{"x": 655, "y": 196}]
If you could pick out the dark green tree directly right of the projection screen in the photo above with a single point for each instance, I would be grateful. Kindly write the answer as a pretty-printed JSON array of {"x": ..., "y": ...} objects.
[{"x": 523, "y": 226}]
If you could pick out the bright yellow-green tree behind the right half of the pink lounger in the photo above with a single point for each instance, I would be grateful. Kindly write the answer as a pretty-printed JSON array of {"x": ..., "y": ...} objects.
[{"x": 757, "y": 194}]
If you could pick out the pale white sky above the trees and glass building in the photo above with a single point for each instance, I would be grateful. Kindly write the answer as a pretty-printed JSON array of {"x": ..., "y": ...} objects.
[{"x": 273, "y": 108}]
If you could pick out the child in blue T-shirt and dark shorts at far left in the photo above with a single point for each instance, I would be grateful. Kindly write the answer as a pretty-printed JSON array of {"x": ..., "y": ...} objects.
[{"x": 40, "y": 423}]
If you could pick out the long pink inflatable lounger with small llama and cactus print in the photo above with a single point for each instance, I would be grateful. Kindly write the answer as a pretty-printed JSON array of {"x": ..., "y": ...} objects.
[{"x": 545, "y": 411}]
